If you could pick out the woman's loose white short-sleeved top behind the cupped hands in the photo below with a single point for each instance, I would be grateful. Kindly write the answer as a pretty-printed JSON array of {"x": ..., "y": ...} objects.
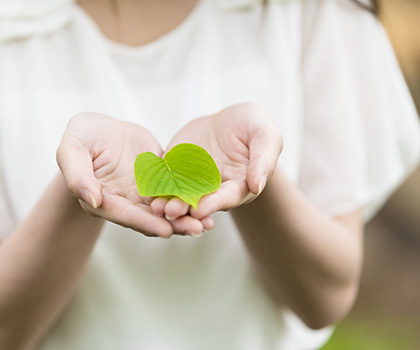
[{"x": 324, "y": 69}]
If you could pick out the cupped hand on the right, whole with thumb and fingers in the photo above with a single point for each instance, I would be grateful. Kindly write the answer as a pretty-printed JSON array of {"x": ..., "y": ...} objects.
[{"x": 245, "y": 143}]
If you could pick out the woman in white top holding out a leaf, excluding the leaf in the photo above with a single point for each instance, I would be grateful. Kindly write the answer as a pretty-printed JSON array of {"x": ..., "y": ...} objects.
[{"x": 288, "y": 264}]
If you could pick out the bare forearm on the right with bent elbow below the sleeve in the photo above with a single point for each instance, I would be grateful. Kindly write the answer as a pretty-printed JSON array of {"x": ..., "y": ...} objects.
[{"x": 308, "y": 261}]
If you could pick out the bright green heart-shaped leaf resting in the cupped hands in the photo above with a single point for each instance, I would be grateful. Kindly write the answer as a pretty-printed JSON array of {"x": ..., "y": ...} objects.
[{"x": 187, "y": 171}]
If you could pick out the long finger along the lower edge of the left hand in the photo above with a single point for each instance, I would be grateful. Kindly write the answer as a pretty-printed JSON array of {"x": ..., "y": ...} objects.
[{"x": 131, "y": 215}]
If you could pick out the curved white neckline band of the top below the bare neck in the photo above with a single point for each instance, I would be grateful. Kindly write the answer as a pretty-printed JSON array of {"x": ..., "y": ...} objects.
[{"x": 152, "y": 47}]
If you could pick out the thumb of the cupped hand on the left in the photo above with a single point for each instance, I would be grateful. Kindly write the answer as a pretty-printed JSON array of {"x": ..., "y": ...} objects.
[{"x": 75, "y": 162}]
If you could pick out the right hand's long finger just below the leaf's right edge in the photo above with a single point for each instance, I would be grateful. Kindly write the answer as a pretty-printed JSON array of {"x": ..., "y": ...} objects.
[{"x": 230, "y": 195}]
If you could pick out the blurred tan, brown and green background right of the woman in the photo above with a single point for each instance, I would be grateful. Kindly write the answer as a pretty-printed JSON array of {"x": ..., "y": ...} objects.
[{"x": 386, "y": 315}]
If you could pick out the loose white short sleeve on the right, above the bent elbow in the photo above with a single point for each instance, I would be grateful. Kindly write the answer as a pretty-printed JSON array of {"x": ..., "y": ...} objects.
[{"x": 361, "y": 129}]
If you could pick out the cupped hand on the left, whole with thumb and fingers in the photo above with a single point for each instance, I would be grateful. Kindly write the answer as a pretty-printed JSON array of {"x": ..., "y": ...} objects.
[{"x": 96, "y": 156}]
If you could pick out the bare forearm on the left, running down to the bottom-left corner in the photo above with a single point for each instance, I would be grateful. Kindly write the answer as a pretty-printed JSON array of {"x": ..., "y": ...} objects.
[{"x": 41, "y": 264}]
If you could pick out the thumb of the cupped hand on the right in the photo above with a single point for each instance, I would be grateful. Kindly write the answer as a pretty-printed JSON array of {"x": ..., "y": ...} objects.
[{"x": 265, "y": 148}]
